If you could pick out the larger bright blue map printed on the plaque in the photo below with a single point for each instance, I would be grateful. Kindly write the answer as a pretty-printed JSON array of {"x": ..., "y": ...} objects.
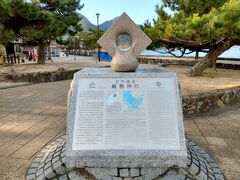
[{"x": 132, "y": 102}]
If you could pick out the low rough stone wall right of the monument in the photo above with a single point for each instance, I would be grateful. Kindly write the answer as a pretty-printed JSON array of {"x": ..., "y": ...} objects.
[{"x": 210, "y": 101}]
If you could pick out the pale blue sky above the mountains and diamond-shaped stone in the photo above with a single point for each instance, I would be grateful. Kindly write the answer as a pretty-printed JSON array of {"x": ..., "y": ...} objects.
[{"x": 138, "y": 10}]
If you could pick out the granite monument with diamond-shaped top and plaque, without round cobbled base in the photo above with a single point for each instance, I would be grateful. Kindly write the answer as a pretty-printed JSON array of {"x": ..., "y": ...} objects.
[{"x": 128, "y": 121}]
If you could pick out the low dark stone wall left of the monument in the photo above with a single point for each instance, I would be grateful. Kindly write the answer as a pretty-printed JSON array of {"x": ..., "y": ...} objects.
[{"x": 41, "y": 77}]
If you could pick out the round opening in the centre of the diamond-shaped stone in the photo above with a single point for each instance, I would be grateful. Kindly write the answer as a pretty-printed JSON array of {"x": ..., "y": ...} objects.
[{"x": 124, "y": 42}]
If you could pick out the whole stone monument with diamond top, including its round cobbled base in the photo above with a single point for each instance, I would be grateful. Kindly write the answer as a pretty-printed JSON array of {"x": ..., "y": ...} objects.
[{"x": 125, "y": 124}]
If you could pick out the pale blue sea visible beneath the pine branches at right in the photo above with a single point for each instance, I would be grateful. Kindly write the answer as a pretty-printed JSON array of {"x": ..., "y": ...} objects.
[{"x": 233, "y": 52}]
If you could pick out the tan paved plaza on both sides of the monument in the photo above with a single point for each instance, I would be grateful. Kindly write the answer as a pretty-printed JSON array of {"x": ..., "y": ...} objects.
[{"x": 32, "y": 116}]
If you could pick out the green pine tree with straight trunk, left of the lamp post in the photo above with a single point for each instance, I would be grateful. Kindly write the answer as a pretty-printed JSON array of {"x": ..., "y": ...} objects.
[{"x": 39, "y": 21}]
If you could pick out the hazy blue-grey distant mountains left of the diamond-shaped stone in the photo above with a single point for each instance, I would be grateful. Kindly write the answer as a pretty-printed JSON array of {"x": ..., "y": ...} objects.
[{"x": 86, "y": 24}]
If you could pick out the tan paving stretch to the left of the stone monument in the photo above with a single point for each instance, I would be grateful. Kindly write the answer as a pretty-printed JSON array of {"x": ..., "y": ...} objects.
[{"x": 30, "y": 117}]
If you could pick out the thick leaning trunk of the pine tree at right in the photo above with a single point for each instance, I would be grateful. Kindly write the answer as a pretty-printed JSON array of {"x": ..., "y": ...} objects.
[{"x": 210, "y": 58}]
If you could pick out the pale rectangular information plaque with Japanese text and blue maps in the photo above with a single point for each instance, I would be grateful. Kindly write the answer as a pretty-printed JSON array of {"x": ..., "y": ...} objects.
[{"x": 126, "y": 113}]
